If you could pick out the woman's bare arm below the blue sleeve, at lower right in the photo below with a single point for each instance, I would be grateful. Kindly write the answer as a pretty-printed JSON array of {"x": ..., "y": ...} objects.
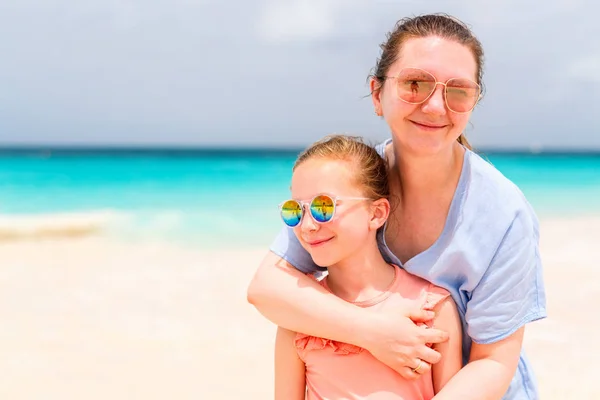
[{"x": 489, "y": 372}]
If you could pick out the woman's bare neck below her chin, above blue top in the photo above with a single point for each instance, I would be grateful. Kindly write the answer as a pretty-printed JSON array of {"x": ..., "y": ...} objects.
[{"x": 418, "y": 174}]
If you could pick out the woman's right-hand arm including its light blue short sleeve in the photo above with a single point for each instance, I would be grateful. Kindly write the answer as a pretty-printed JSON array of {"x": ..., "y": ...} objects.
[{"x": 510, "y": 294}]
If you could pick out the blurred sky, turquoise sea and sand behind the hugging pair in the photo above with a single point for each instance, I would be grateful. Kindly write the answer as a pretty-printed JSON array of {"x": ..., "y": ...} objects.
[{"x": 144, "y": 147}]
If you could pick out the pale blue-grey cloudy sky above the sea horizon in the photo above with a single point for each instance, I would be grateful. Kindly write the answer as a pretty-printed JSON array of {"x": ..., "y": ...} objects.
[{"x": 278, "y": 73}]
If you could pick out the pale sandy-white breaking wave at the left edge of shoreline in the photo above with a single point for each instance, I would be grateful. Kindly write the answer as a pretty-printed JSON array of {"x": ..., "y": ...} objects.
[{"x": 57, "y": 225}]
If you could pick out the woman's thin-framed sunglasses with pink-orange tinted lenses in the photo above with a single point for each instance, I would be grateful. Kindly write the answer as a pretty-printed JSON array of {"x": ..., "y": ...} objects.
[{"x": 415, "y": 86}]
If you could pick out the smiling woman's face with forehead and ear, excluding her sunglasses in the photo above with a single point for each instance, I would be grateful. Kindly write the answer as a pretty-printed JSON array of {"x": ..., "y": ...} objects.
[{"x": 430, "y": 127}]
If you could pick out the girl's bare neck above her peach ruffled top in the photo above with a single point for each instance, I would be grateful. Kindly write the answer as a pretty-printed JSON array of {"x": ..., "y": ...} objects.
[{"x": 362, "y": 276}]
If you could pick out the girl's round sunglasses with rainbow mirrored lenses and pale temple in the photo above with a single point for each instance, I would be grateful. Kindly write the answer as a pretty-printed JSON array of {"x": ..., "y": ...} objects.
[{"x": 321, "y": 207}]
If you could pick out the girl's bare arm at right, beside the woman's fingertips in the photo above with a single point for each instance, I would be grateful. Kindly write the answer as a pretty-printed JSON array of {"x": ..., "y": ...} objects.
[{"x": 448, "y": 320}]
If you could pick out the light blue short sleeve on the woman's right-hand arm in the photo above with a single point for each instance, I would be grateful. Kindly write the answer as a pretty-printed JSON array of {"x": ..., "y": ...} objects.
[{"x": 511, "y": 292}]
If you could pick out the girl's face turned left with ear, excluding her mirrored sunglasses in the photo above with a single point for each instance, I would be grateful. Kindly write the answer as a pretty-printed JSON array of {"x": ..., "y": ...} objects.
[{"x": 353, "y": 225}]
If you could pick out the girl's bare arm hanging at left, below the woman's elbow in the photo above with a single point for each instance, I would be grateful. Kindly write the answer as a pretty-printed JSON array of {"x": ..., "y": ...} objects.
[{"x": 290, "y": 371}]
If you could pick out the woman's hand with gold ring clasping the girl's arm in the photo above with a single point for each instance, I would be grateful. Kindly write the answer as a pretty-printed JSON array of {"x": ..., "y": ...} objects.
[{"x": 397, "y": 341}]
